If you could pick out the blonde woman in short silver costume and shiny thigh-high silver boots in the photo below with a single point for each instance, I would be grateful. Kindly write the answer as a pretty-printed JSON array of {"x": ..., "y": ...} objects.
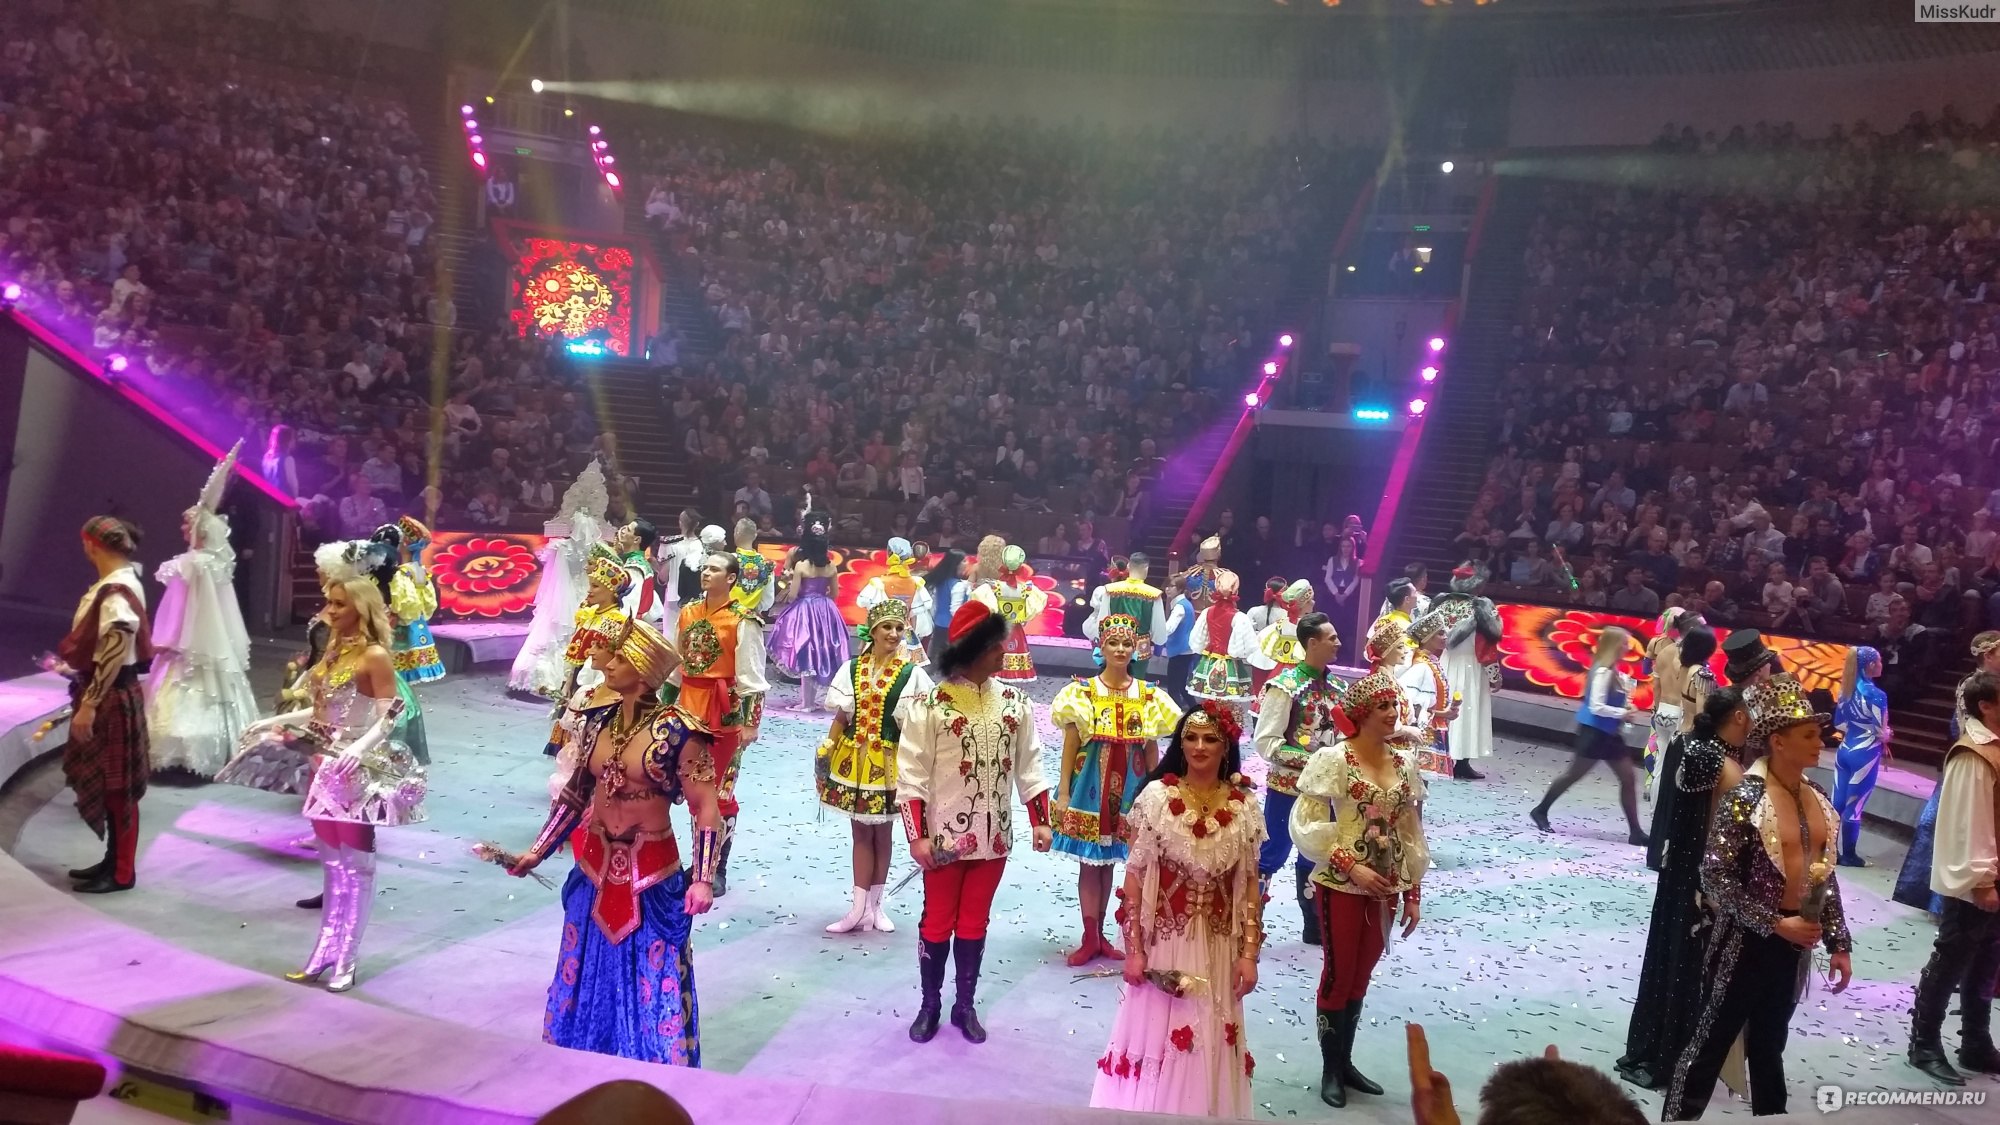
[{"x": 361, "y": 776}]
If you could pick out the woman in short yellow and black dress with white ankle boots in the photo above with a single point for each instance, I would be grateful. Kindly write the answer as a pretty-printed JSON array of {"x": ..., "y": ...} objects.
[{"x": 855, "y": 768}]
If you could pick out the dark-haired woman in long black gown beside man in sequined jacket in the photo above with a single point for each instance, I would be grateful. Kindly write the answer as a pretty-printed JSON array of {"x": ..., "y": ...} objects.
[{"x": 1701, "y": 768}]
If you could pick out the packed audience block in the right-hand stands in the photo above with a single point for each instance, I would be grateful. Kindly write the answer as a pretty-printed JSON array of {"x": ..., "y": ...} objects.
[{"x": 1751, "y": 389}]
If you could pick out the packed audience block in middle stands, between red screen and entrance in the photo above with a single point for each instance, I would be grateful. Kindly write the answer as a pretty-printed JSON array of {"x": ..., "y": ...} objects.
[{"x": 981, "y": 327}]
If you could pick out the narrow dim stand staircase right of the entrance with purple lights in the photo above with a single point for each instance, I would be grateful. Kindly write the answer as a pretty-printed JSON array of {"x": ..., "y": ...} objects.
[{"x": 1453, "y": 459}]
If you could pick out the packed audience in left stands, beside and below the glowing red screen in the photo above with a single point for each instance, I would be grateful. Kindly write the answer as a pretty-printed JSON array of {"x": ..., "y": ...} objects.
[{"x": 255, "y": 245}]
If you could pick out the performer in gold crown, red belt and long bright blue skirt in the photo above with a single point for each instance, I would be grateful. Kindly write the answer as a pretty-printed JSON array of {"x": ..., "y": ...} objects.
[{"x": 625, "y": 982}]
